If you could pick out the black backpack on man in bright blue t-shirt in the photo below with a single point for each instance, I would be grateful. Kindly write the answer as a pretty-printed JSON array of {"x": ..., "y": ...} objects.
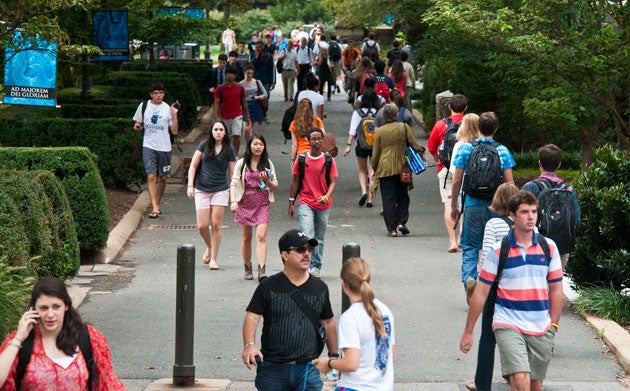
[{"x": 483, "y": 174}]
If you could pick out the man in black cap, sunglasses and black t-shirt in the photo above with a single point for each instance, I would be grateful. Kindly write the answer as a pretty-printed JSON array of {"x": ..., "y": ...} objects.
[{"x": 290, "y": 303}]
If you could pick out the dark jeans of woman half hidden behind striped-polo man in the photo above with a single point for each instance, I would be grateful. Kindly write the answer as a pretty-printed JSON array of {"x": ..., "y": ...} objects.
[{"x": 485, "y": 354}]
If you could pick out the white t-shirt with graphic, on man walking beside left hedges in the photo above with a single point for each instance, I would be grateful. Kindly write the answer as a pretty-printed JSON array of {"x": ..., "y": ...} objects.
[{"x": 157, "y": 120}]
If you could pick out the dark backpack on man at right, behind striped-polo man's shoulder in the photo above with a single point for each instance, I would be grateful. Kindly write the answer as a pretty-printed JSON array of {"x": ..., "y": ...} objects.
[{"x": 556, "y": 214}]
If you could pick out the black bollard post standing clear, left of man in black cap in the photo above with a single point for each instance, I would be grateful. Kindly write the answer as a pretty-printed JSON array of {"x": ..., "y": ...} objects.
[{"x": 184, "y": 370}]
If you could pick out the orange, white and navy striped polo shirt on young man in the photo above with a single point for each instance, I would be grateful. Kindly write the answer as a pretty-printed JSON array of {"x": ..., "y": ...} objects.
[{"x": 522, "y": 297}]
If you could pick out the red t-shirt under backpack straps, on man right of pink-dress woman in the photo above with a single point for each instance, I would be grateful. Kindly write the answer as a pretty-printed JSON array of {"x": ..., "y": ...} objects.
[{"x": 314, "y": 182}]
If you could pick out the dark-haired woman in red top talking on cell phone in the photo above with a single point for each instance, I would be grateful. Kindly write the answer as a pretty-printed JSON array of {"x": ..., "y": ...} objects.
[{"x": 52, "y": 334}]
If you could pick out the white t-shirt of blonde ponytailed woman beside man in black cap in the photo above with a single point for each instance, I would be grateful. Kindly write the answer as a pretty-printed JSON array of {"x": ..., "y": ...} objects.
[{"x": 376, "y": 365}]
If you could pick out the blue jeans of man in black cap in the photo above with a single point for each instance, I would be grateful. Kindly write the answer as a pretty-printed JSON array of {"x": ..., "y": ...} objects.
[{"x": 287, "y": 377}]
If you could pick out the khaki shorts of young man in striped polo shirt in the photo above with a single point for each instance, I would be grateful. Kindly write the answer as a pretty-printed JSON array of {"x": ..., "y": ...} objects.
[{"x": 524, "y": 353}]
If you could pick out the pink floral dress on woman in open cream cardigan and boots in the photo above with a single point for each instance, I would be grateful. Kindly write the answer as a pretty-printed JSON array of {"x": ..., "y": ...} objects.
[{"x": 254, "y": 207}]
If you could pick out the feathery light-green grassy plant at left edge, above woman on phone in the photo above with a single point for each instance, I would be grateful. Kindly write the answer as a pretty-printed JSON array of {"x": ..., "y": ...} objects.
[{"x": 15, "y": 293}]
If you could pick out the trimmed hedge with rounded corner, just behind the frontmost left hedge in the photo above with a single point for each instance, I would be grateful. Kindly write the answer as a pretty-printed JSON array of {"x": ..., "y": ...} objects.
[{"x": 76, "y": 169}]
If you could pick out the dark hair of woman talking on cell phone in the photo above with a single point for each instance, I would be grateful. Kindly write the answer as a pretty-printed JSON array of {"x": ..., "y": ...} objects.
[{"x": 68, "y": 337}]
